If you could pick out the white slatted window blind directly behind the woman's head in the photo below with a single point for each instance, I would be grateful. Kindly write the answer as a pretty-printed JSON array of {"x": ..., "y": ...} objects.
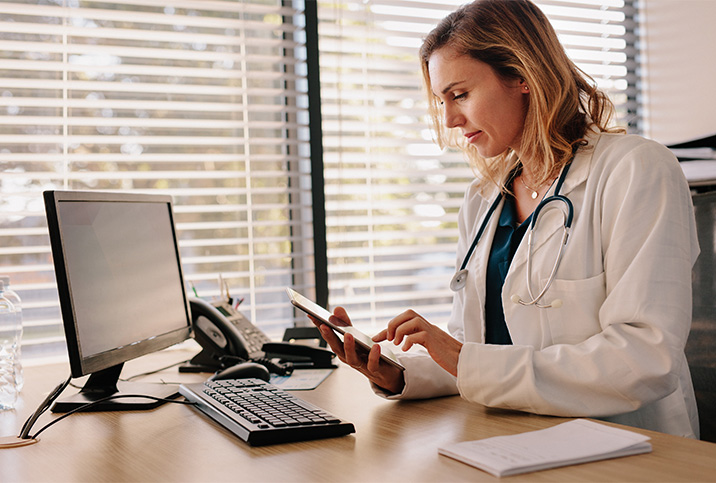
[{"x": 391, "y": 196}]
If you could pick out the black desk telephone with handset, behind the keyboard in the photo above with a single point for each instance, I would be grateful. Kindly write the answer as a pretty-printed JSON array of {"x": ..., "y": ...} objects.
[{"x": 227, "y": 337}]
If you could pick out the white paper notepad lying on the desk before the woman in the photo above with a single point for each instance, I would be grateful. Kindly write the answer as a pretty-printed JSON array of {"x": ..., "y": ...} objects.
[{"x": 574, "y": 442}]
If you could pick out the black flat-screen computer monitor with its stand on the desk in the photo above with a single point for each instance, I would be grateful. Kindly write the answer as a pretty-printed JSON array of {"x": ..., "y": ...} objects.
[{"x": 121, "y": 289}]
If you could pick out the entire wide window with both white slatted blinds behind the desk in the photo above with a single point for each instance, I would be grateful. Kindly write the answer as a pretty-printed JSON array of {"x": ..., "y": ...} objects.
[{"x": 207, "y": 101}]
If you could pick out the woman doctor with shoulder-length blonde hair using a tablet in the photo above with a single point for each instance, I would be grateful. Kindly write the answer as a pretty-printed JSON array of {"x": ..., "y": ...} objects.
[{"x": 606, "y": 337}]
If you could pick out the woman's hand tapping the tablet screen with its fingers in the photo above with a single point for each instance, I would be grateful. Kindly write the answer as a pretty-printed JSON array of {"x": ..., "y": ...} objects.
[{"x": 412, "y": 328}]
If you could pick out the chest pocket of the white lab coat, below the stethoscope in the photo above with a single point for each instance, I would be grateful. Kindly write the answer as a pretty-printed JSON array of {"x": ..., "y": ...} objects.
[{"x": 578, "y": 317}]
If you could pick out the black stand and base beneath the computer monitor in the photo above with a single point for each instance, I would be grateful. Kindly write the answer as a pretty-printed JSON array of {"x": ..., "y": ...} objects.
[{"x": 106, "y": 383}]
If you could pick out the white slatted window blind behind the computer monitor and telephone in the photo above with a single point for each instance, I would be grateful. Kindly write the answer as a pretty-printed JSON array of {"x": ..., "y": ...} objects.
[{"x": 202, "y": 100}]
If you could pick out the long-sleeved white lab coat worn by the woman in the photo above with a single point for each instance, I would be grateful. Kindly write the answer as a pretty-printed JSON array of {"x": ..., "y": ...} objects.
[{"x": 615, "y": 349}]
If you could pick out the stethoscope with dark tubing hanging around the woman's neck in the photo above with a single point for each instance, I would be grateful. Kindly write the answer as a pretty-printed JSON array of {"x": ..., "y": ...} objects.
[{"x": 459, "y": 280}]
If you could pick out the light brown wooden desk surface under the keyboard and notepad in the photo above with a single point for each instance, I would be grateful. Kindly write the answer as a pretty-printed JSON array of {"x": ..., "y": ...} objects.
[{"x": 394, "y": 441}]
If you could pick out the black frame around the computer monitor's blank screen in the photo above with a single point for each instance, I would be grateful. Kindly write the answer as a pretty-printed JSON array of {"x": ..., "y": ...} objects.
[{"x": 85, "y": 364}]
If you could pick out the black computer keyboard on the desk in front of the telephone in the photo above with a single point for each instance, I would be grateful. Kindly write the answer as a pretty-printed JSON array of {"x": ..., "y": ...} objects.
[{"x": 262, "y": 414}]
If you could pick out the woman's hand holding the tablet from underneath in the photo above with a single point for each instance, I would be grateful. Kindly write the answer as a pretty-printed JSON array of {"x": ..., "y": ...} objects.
[{"x": 379, "y": 373}]
